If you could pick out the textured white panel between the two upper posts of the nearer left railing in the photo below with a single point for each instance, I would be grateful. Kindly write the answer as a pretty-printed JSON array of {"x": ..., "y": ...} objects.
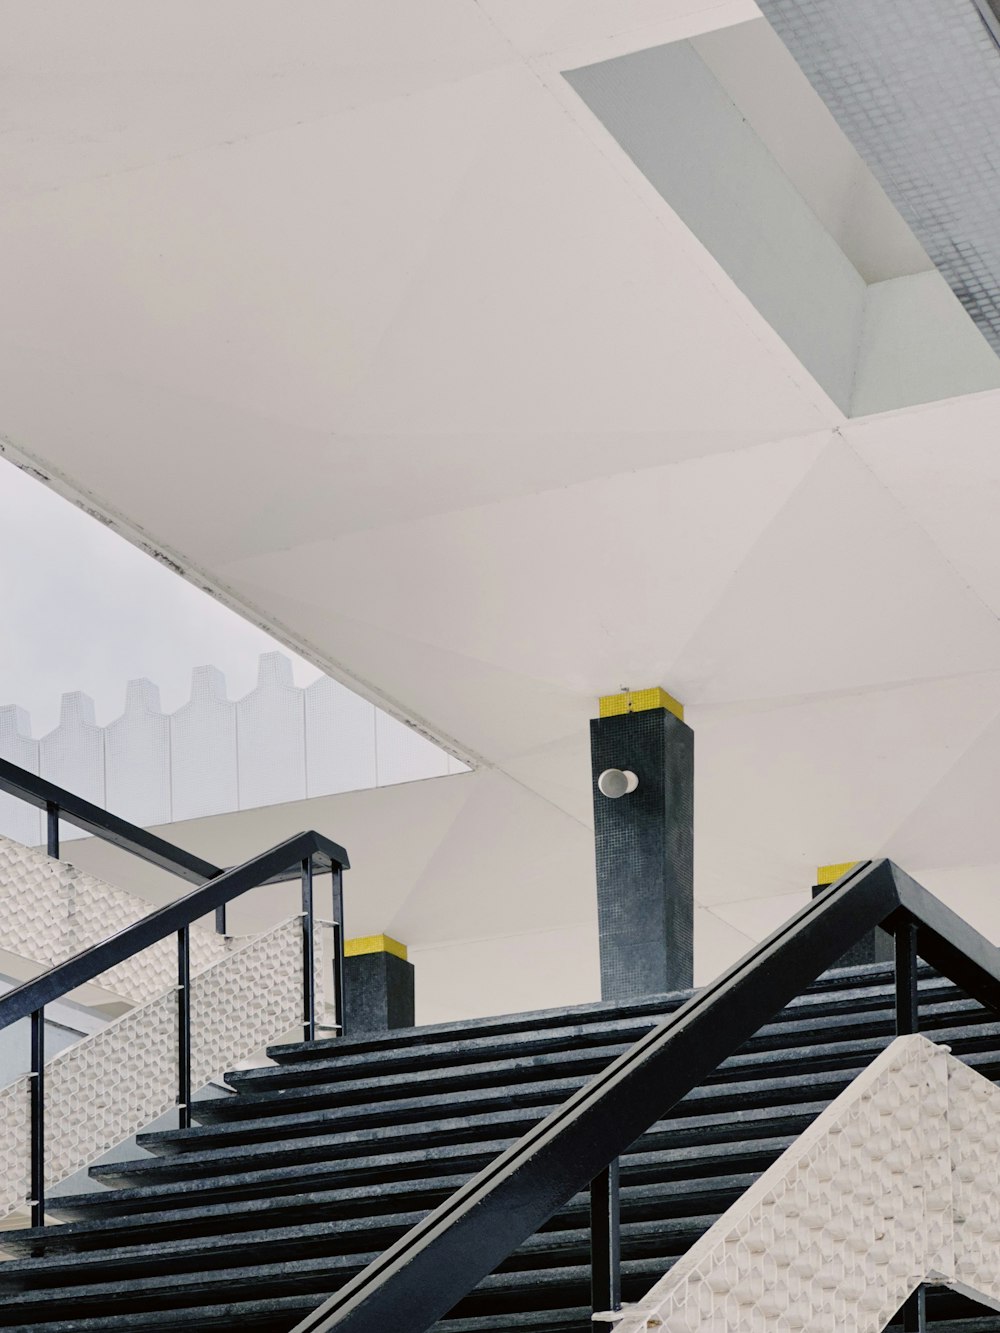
[{"x": 251, "y": 999}]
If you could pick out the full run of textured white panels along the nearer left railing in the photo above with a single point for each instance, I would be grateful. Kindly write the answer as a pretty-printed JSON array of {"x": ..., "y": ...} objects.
[{"x": 117, "y": 1082}]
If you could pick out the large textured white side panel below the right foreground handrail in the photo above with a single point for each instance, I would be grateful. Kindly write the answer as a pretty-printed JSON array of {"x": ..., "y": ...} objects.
[{"x": 897, "y": 1183}]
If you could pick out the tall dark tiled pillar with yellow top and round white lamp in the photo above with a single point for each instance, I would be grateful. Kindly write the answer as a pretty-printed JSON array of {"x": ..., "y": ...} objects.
[{"x": 645, "y": 843}]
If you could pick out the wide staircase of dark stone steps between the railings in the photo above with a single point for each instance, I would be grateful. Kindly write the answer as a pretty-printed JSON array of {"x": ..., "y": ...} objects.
[{"x": 285, "y": 1191}]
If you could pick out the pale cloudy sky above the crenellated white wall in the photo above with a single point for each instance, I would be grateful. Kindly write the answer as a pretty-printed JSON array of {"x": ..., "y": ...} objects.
[{"x": 86, "y": 610}]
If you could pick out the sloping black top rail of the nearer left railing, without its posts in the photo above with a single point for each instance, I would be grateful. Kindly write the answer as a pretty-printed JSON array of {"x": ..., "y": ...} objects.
[{"x": 169, "y": 920}]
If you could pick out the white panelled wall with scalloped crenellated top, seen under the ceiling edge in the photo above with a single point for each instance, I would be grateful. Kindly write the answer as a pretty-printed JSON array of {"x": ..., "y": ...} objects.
[{"x": 279, "y": 744}]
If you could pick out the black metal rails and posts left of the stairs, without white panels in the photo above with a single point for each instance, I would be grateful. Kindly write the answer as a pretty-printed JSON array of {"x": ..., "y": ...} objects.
[{"x": 303, "y": 856}]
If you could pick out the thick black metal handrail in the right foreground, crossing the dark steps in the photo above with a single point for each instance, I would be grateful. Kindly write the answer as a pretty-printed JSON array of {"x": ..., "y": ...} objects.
[{"x": 441, "y": 1260}]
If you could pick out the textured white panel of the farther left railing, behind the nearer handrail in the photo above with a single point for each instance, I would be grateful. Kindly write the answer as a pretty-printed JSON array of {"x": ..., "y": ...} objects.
[{"x": 50, "y": 911}]
